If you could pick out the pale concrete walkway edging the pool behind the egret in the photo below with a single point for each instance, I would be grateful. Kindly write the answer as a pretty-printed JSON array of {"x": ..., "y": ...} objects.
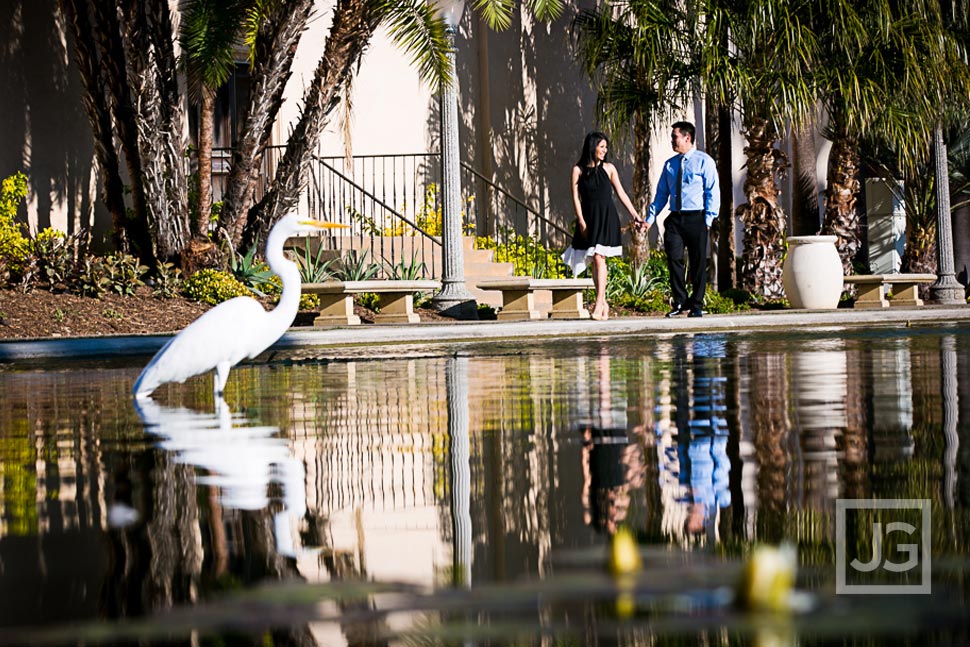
[{"x": 452, "y": 332}]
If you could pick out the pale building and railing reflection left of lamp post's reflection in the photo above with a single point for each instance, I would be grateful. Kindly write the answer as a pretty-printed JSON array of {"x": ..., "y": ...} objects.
[{"x": 374, "y": 443}]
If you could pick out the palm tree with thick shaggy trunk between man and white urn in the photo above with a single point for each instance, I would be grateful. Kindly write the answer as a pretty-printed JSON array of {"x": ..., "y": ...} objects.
[{"x": 764, "y": 72}]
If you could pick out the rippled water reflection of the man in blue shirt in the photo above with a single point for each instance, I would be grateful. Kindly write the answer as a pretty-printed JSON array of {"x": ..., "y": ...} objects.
[{"x": 692, "y": 437}]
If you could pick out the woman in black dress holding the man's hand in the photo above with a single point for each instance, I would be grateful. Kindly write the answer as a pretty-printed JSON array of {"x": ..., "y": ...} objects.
[{"x": 597, "y": 222}]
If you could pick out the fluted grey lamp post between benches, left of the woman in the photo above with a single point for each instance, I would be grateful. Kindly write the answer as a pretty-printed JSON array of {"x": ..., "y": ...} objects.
[{"x": 454, "y": 299}]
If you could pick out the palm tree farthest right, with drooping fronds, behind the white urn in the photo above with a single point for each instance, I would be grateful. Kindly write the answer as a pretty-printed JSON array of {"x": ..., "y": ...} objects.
[{"x": 891, "y": 67}]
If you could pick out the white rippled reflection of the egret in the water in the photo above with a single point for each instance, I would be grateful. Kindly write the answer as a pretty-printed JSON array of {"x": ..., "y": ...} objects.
[{"x": 242, "y": 460}]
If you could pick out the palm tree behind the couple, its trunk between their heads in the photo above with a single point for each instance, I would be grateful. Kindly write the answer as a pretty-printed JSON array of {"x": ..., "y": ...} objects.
[{"x": 639, "y": 60}]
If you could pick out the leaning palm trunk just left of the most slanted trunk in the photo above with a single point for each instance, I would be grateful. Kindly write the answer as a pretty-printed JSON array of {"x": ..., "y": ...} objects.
[{"x": 273, "y": 52}]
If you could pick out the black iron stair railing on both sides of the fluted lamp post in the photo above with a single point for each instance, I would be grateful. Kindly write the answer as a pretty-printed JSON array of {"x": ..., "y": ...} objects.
[{"x": 392, "y": 205}]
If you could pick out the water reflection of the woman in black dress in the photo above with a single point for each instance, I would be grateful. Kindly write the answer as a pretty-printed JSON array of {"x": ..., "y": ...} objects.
[{"x": 613, "y": 466}]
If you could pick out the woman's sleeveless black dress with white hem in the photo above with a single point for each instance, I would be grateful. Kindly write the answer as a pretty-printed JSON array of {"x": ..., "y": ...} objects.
[{"x": 602, "y": 221}]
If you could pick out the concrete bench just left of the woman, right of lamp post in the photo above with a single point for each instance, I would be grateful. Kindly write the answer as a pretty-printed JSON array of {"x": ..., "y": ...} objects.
[{"x": 518, "y": 299}]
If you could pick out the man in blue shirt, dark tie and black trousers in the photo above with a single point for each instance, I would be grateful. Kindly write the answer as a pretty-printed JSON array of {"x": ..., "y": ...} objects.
[{"x": 689, "y": 184}]
